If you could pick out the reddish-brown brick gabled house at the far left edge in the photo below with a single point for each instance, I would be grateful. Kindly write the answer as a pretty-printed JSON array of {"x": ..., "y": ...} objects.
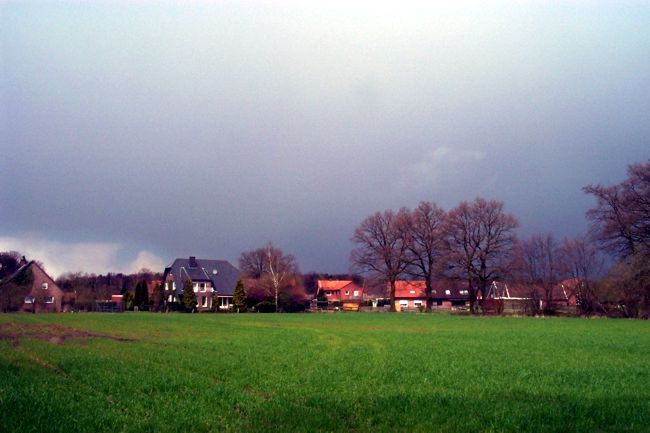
[{"x": 38, "y": 291}]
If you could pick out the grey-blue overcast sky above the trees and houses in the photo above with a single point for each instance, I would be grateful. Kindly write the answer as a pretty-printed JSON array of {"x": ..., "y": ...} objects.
[{"x": 136, "y": 132}]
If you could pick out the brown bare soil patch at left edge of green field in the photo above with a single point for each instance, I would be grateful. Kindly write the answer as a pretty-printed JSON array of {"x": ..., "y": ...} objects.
[{"x": 55, "y": 334}]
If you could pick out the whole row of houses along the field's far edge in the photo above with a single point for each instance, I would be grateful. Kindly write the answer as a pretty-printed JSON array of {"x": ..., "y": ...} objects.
[{"x": 214, "y": 282}]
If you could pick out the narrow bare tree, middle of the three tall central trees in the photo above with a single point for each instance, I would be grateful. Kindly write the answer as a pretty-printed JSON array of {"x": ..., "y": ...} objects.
[{"x": 425, "y": 244}]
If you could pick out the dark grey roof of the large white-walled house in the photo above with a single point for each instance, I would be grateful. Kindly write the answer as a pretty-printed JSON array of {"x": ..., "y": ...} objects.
[{"x": 223, "y": 280}]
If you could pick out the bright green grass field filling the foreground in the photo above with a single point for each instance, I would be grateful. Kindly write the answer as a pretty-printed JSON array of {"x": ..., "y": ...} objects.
[{"x": 322, "y": 372}]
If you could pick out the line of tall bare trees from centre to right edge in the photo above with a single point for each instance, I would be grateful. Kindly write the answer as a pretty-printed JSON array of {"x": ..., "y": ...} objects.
[{"x": 476, "y": 241}]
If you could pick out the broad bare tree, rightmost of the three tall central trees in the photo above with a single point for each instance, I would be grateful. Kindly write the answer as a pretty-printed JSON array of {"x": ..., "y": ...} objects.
[{"x": 480, "y": 237}]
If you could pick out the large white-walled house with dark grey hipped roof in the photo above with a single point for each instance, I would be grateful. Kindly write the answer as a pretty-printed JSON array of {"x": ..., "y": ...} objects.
[{"x": 213, "y": 282}]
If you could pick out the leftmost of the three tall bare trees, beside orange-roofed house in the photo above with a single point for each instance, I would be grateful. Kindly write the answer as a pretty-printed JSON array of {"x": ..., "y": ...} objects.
[{"x": 382, "y": 247}]
